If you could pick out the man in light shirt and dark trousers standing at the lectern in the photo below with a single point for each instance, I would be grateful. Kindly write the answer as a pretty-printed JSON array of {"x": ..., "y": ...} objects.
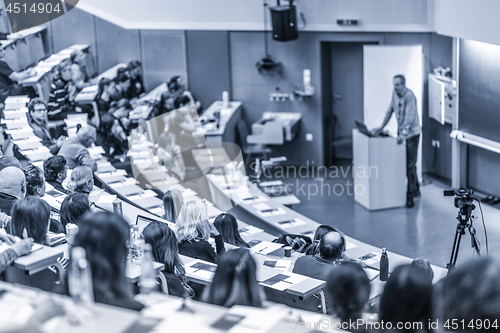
[{"x": 404, "y": 106}]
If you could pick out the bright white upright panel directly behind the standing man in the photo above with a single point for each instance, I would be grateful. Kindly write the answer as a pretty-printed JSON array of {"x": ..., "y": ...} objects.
[{"x": 380, "y": 64}]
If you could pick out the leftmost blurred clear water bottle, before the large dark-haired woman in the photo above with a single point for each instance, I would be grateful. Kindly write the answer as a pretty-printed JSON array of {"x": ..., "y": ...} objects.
[{"x": 80, "y": 278}]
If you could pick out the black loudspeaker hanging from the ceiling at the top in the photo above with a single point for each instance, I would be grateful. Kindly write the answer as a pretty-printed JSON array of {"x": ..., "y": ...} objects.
[{"x": 284, "y": 20}]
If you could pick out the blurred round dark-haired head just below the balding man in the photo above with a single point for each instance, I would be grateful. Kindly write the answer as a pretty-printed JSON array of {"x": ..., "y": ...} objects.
[{"x": 348, "y": 289}]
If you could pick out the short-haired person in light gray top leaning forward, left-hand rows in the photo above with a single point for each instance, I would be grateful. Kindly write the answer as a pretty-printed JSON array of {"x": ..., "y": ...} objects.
[{"x": 75, "y": 149}]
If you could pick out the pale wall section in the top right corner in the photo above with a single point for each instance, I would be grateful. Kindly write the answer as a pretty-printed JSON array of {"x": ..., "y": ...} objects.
[{"x": 469, "y": 19}]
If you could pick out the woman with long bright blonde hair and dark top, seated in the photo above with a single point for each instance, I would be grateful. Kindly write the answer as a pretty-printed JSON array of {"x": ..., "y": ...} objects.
[{"x": 193, "y": 231}]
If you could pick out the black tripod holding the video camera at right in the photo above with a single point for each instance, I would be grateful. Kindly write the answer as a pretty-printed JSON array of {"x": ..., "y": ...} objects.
[{"x": 464, "y": 222}]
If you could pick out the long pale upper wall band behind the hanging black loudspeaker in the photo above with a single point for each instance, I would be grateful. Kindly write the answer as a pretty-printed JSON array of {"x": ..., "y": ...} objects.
[{"x": 248, "y": 15}]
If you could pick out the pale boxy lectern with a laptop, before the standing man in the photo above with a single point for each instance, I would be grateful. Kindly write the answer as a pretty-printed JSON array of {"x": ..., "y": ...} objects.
[{"x": 379, "y": 171}]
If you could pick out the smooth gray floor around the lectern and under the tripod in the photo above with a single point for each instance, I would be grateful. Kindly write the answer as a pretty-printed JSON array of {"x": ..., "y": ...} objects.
[{"x": 427, "y": 230}]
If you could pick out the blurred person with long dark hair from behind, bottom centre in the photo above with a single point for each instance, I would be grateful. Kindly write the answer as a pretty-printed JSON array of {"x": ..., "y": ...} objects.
[{"x": 235, "y": 282}]
